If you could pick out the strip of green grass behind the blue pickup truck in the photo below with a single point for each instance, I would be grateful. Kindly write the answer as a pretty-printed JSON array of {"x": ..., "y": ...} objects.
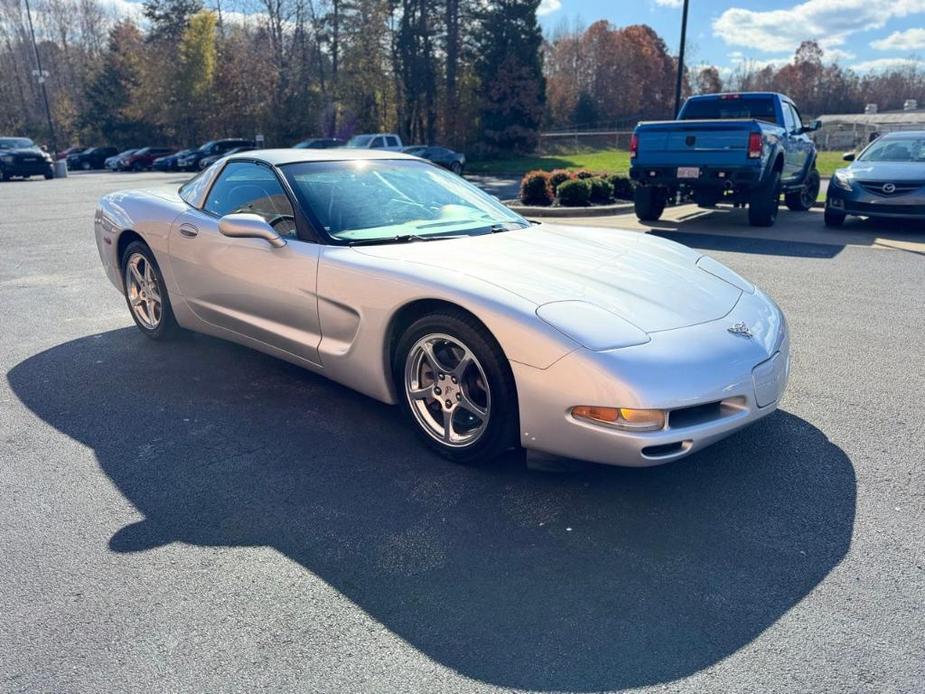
[{"x": 608, "y": 160}]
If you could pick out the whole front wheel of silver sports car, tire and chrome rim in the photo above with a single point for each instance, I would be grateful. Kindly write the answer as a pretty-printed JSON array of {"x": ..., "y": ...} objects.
[{"x": 456, "y": 388}]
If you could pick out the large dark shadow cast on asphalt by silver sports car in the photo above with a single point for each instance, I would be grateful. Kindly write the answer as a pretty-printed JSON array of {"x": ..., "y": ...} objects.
[{"x": 593, "y": 579}]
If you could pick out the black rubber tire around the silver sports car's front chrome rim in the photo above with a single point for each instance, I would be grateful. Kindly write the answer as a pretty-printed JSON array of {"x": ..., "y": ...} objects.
[{"x": 501, "y": 432}]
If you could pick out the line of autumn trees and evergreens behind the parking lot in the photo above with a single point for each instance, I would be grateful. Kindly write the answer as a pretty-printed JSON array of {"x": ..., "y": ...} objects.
[{"x": 474, "y": 74}]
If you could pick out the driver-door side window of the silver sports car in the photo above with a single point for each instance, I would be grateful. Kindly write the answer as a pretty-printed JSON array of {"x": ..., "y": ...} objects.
[{"x": 244, "y": 186}]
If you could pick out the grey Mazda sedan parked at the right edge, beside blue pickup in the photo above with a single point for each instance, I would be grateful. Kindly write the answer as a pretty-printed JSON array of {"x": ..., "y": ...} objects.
[{"x": 887, "y": 179}]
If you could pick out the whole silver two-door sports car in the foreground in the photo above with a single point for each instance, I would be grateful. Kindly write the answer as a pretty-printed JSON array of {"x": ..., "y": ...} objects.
[{"x": 403, "y": 281}]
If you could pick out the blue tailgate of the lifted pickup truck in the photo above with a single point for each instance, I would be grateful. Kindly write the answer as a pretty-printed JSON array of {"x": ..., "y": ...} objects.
[{"x": 723, "y": 143}]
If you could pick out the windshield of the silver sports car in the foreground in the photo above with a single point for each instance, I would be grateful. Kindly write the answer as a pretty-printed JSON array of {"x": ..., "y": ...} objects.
[{"x": 387, "y": 199}]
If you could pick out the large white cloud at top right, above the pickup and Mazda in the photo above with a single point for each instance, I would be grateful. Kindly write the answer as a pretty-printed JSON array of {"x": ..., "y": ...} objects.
[{"x": 830, "y": 22}]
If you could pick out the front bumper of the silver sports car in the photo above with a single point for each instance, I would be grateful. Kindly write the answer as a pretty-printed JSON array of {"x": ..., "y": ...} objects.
[{"x": 711, "y": 382}]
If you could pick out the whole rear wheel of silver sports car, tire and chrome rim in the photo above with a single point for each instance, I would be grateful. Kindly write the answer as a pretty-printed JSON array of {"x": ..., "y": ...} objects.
[{"x": 146, "y": 293}]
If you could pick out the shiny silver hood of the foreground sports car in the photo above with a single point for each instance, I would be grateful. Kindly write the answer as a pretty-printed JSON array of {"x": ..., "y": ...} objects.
[{"x": 653, "y": 283}]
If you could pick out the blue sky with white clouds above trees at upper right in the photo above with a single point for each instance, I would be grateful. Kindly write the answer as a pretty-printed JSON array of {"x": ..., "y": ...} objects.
[{"x": 863, "y": 34}]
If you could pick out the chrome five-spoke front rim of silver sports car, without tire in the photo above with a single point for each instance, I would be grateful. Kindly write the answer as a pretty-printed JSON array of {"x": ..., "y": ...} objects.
[{"x": 447, "y": 390}]
